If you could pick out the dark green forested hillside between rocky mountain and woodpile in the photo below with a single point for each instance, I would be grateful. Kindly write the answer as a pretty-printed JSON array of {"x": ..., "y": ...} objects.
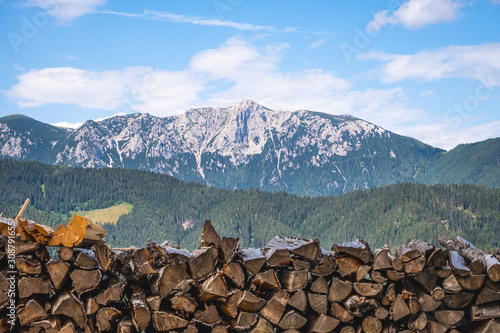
[{"x": 392, "y": 215}]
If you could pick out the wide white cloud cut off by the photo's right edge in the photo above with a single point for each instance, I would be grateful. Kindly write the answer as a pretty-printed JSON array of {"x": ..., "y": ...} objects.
[{"x": 478, "y": 62}]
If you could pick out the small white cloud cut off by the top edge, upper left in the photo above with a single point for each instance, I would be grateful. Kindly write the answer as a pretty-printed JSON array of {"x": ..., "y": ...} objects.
[{"x": 67, "y": 10}]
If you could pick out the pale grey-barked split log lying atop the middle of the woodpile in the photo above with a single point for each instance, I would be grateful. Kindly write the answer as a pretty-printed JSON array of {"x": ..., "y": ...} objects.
[{"x": 306, "y": 248}]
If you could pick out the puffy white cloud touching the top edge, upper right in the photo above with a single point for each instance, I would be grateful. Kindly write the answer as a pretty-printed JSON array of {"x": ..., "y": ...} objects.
[{"x": 415, "y": 14}]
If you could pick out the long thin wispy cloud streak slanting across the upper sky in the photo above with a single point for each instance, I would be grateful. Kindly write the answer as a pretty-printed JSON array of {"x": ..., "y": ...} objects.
[{"x": 177, "y": 18}]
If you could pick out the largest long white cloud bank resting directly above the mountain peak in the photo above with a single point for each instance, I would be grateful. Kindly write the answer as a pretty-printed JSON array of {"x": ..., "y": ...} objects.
[{"x": 220, "y": 77}]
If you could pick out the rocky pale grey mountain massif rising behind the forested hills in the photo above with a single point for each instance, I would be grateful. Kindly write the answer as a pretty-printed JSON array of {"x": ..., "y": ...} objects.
[{"x": 237, "y": 147}]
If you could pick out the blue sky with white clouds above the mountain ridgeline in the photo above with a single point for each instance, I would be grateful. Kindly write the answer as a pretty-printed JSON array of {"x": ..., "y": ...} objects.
[{"x": 429, "y": 69}]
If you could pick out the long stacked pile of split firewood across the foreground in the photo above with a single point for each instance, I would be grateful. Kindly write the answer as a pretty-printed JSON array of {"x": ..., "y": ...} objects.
[{"x": 289, "y": 285}]
